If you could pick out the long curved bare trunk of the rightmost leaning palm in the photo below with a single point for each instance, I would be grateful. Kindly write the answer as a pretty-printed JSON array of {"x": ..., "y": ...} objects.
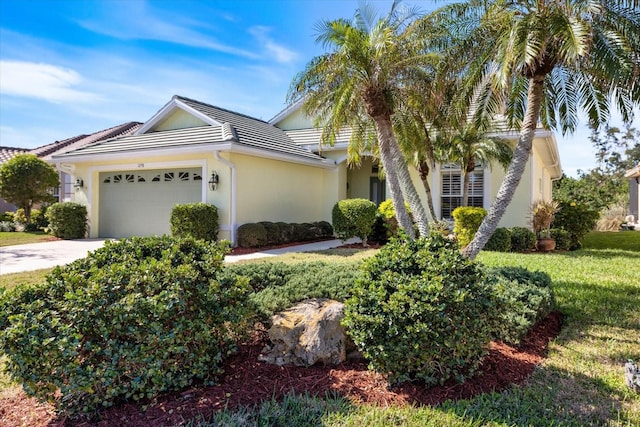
[{"x": 514, "y": 172}]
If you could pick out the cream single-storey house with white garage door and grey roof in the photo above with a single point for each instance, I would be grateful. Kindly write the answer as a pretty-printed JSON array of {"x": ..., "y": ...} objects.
[{"x": 253, "y": 170}]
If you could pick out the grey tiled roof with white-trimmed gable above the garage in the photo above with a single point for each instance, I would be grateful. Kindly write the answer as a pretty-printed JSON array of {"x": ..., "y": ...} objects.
[{"x": 224, "y": 130}]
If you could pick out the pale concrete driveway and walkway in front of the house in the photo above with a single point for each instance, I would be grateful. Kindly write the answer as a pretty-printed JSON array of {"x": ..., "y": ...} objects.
[{"x": 35, "y": 256}]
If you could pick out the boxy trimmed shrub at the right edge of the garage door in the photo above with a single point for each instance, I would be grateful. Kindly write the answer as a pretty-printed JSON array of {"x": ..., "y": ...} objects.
[{"x": 197, "y": 220}]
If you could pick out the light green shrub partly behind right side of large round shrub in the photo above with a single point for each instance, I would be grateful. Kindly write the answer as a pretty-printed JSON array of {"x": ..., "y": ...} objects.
[{"x": 526, "y": 297}]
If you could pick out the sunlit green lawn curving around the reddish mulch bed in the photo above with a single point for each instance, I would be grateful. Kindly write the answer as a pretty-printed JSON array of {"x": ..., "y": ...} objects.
[{"x": 580, "y": 383}]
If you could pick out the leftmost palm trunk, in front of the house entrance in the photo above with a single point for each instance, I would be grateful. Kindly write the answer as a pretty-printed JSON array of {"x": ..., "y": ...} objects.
[{"x": 384, "y": 131}]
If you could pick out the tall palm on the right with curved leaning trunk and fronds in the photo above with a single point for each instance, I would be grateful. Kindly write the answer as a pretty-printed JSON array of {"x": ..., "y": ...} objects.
[{"x": 543, "y": 60}]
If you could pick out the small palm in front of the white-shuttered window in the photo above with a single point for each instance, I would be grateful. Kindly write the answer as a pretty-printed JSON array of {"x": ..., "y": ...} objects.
[{"x": 470, "y": 147}]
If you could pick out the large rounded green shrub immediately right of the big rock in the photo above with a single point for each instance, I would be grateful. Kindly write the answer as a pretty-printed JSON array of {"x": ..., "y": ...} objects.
[{"x": 422, "y": 311}]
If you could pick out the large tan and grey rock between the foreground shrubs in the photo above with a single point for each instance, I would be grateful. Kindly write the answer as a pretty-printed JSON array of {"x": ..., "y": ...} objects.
[{"x": 308, "y": 333}]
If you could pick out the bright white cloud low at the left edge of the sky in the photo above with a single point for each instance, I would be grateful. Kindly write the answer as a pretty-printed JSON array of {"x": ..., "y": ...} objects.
[{"x": 42, "y": 81}]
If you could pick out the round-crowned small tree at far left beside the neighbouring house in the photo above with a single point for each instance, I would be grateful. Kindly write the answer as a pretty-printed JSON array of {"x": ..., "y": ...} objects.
[{"x": 25, "y": 181}]
